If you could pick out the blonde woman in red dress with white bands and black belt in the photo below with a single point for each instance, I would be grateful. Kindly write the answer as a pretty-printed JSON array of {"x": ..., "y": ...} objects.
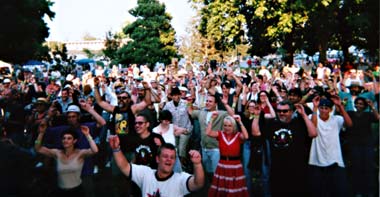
[{"x": 229, "y": 179}]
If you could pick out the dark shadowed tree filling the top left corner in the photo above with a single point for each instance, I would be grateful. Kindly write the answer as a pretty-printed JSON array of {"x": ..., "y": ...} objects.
[{"x": 23, "y": 29}]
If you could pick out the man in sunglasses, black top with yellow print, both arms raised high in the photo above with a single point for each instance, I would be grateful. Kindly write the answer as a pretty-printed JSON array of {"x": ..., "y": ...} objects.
[{"x": 122, "y": 124}]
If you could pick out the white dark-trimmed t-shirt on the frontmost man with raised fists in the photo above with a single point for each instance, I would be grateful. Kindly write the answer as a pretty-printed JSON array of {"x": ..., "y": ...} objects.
[{"x": 144, "y": 177}]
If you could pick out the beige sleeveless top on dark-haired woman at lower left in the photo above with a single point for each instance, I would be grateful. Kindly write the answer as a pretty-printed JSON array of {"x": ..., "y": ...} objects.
[{"x": 69, "y": 172}]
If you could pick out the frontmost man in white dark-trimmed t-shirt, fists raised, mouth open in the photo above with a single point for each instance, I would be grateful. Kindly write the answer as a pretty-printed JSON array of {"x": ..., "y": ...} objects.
[{"x": 163, "y": 181}]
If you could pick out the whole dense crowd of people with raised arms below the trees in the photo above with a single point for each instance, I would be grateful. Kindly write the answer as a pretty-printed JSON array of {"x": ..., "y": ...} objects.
[{"x": 309, "y": 130}]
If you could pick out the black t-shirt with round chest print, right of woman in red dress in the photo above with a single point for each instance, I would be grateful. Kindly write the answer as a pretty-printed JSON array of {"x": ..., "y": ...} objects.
[{"x": 290, "y": 147}]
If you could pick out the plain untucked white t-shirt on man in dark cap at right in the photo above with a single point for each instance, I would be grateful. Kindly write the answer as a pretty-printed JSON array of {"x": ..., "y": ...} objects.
[{"x": 325, "y": 148}]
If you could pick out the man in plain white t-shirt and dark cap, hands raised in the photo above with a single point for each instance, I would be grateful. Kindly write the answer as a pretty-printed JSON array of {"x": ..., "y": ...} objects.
[{"x": 327, "y": 171}]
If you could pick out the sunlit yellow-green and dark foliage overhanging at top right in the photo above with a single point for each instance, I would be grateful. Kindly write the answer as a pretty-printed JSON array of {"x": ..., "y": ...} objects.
[{"x": 291, "y": 25}]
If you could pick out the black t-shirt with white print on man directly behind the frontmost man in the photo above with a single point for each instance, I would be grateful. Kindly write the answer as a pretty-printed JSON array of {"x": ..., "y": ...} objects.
[{"x": 146, "y": 150}]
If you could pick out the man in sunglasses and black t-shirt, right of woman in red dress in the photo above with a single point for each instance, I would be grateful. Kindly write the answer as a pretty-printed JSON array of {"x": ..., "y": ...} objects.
[{"x": 290, "y": 138}]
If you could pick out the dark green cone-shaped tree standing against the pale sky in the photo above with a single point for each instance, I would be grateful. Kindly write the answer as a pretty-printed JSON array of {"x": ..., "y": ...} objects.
[{"x": 152, "y": 36}]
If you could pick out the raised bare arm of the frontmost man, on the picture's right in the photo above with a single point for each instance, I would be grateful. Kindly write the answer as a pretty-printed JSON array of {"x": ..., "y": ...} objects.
[{"x": 197, "y": 181}]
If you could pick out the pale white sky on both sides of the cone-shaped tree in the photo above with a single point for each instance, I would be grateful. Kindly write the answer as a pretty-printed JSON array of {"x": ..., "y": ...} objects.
[{"x": 75, "y": 18}]
